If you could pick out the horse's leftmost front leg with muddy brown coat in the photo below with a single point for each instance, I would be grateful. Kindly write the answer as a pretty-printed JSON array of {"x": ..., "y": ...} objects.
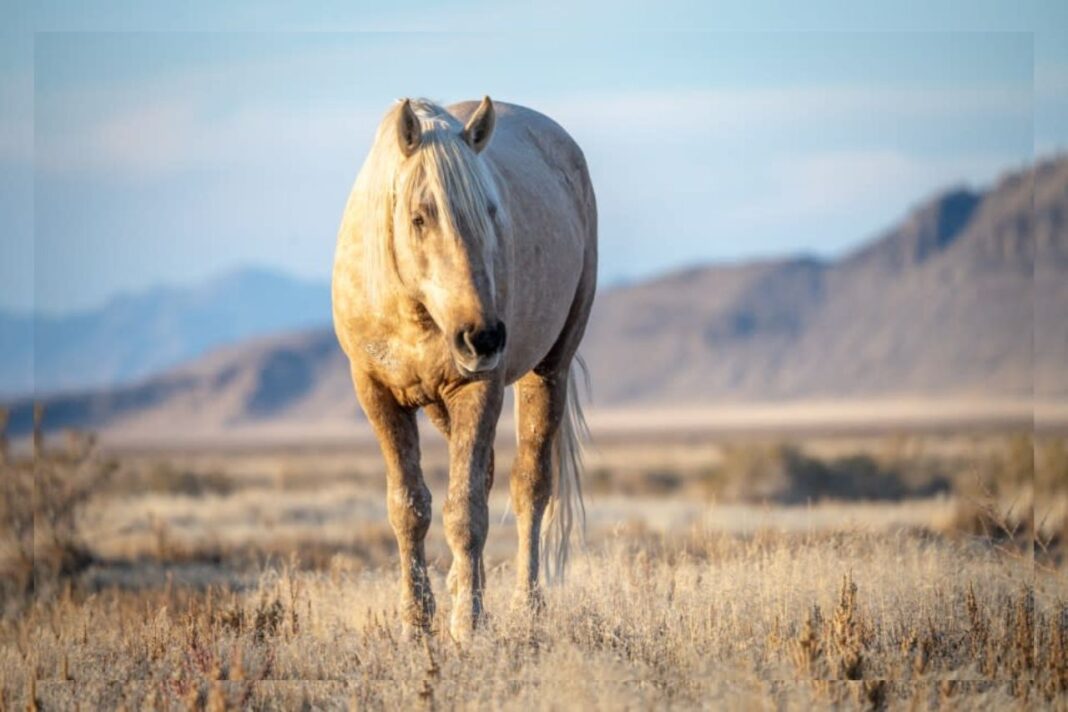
[{"x": 407, "y": 496}]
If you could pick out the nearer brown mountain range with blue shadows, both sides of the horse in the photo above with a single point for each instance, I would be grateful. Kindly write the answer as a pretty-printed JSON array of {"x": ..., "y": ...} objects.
[{"x": 966, "y": 298}]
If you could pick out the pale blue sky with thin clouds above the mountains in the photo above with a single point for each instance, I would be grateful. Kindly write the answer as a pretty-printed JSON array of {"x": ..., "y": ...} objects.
[{"x": 143, "y": 144}]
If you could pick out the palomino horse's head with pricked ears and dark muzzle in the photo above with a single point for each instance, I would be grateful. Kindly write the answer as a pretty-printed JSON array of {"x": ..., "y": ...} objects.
[{"x": 447, "y": 218}]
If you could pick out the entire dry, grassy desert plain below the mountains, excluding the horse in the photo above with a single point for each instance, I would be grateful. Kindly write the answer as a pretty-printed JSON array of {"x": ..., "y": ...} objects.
[{"x": 878, "y": 569}]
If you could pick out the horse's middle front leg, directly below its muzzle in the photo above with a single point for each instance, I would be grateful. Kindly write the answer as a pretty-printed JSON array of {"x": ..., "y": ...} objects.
[{"x": 474, "y": 410}]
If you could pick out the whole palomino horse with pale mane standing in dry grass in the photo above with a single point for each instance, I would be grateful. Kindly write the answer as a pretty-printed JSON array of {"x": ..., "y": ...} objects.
[{"x": 467, "y": 262}]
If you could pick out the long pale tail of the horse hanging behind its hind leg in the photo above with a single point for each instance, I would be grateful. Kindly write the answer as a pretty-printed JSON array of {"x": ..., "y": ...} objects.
[{"x": 566, "y": 505}]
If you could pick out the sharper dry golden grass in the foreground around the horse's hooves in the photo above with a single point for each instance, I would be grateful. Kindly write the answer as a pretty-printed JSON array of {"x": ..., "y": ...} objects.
[{"x": 696, "y": 621}]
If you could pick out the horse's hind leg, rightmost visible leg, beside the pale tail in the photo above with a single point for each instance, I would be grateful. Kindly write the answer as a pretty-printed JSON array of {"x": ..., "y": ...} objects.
[{"x": 541, "y": 407}]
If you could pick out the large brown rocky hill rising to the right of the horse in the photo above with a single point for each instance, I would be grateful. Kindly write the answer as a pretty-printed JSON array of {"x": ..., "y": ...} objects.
[{"x": 945, "y": 304}]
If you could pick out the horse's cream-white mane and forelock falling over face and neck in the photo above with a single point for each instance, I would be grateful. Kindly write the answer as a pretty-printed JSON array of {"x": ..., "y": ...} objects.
[{"x": 444, "y": 171}]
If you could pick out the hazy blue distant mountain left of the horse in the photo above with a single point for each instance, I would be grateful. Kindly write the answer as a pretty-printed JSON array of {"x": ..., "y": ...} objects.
[{"x": 136, "y": 336}]
